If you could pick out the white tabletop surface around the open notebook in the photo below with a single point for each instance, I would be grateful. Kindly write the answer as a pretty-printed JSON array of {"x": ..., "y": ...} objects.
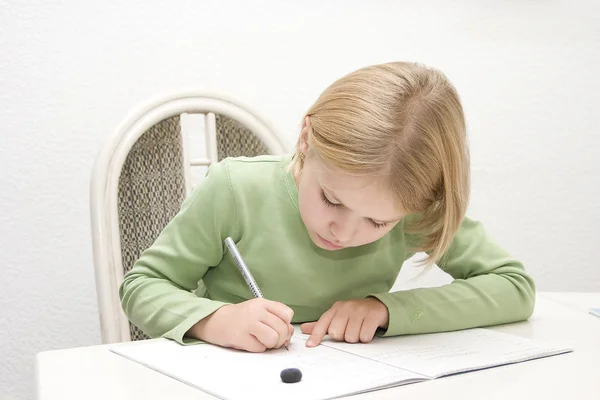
[{"x": 96, "y": 373}]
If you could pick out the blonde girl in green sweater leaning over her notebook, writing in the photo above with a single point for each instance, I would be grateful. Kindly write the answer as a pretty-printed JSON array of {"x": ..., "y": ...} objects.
[{"x": 381, "y": 171}]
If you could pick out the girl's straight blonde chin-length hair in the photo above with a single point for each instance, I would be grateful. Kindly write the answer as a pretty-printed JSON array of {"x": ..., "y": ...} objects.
[{"x": 404, "y": 121}]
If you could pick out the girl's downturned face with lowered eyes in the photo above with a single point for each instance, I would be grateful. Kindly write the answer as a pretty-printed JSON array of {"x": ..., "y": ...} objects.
[{"x": 340, "y": 210}]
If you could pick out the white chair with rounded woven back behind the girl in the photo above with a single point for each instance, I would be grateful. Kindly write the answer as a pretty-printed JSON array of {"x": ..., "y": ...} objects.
[{"x": 142, "y": 175}]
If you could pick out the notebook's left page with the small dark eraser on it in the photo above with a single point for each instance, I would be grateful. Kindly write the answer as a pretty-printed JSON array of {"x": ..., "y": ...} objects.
[{"x": 232, "y": 374}]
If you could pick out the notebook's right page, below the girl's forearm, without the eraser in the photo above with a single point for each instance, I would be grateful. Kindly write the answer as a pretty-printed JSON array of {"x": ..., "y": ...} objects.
[{"x": 439, "y": 354}]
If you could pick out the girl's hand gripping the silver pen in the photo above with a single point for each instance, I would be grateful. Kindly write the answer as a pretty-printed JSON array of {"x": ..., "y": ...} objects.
[{"x": 253, "y": 325}]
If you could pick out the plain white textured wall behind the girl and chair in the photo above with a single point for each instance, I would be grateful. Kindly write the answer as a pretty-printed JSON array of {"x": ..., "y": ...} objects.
[{"x": 71, "y": 70}]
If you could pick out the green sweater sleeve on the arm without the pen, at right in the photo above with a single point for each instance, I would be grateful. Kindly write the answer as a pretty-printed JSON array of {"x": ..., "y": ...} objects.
[{"x": 489, "y": 288}]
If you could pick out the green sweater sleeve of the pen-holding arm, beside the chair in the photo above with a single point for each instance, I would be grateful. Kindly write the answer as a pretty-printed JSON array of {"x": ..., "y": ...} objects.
[{"x": 156, "y": 295}]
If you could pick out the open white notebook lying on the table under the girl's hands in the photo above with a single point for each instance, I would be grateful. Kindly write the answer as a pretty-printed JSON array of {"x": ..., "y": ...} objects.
[{"x": 333, "y": 369}]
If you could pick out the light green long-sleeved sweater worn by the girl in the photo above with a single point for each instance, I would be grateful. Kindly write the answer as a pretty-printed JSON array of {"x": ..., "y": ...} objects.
[{"x": 187, "y": 273}]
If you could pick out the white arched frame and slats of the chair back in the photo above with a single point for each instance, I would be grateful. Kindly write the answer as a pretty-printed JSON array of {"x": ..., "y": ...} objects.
[{"x": 106, "y": 239}]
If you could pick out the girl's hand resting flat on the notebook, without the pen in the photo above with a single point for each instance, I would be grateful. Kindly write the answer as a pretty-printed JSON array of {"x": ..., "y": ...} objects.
[{"x": 350, "y": 321}]
